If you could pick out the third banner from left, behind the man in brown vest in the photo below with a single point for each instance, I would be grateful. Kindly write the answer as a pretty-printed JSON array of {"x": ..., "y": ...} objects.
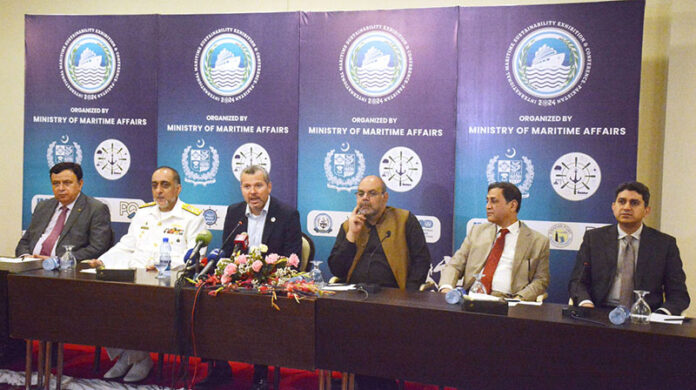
[{"x": 377, "y": 95}]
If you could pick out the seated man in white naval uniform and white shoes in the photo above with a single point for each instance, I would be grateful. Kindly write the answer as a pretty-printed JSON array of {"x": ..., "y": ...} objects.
[{"x": 167, "y": 217}]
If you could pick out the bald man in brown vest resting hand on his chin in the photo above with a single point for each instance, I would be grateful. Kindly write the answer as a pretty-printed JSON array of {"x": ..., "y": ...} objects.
[{"x": 380, "y": 244}]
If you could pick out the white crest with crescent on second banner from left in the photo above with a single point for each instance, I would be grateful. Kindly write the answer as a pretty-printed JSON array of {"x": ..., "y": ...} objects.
[{"x": 200, "y": 164}]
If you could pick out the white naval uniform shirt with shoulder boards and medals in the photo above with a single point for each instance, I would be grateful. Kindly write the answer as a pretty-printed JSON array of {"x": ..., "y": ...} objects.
[{"x": 140, "y": 246}]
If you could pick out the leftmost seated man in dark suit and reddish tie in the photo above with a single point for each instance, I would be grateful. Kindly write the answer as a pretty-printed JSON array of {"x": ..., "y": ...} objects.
[{"x": 69, "y": 218}]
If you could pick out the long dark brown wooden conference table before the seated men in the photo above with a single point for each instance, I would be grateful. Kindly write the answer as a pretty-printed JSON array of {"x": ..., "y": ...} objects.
[{"x": 413, "y": 336}]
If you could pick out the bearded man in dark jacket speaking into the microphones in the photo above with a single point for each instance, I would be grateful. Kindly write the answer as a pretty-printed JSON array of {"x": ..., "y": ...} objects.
[{"x": 268, "y": 222}]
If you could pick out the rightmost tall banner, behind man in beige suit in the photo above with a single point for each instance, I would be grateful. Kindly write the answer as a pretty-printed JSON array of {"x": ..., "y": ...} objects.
[{"x": 548, "y": 100}]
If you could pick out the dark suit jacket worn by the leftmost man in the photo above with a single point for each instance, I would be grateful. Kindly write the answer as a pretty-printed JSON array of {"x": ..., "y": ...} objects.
[{"x": 88, "y": 228}]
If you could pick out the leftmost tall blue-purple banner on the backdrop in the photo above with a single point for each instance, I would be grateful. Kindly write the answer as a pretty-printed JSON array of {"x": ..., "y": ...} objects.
[{"x": 90, "y": 97}]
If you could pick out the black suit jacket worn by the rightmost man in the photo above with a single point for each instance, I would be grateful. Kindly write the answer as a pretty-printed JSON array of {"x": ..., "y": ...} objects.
[{"x": 658, "y": 269}]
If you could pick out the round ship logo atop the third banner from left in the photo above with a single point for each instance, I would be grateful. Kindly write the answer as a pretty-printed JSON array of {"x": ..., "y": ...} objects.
[{"x": 375, "y": 64}]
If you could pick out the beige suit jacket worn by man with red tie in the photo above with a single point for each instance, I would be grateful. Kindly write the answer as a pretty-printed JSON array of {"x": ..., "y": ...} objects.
[{"x": 530, "y": 269}]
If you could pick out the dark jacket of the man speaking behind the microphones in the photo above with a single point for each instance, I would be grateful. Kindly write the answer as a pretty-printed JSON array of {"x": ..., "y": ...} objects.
[{"x": 282, "y": 233}]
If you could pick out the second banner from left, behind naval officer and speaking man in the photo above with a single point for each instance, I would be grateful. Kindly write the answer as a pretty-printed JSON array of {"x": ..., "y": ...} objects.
[{"x": 228, "y": 98}]
